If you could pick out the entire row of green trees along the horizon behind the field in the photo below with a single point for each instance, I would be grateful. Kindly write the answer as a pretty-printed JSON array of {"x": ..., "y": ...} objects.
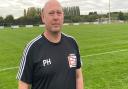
[{"x": 71, "y": 15}]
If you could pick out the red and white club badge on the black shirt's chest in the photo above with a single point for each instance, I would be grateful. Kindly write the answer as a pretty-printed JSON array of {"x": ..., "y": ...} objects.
[{"x": 72, "y": 59}]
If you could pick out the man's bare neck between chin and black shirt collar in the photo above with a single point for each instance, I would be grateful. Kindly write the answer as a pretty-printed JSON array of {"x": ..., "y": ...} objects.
[{"x": 53, "y": 37}]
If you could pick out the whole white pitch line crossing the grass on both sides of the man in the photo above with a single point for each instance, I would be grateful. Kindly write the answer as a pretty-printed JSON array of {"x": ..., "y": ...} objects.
[{"x": 11, "y": 68}]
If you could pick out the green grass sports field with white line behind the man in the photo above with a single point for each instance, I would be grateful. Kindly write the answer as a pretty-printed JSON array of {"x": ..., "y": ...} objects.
[{"x": 104, "y": 53}]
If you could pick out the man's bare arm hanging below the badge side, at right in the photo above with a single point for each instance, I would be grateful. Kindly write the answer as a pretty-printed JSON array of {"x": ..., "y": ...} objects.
[{"x": 79, "y": 79}]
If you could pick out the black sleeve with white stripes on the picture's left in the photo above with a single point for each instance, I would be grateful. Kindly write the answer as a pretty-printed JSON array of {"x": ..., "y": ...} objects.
[{"x": 26, "y": 66}]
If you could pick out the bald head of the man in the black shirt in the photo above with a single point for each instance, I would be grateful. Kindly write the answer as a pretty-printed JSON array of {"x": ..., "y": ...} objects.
[{"x": 53, "y": 16}]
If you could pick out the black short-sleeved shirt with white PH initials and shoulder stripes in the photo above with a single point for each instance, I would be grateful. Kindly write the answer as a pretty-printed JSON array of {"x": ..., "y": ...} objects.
[{"x": 47, "y": 65}]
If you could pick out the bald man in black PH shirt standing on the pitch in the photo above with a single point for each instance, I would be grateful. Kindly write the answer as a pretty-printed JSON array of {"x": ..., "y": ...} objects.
[{"x": 51, "y": 60}]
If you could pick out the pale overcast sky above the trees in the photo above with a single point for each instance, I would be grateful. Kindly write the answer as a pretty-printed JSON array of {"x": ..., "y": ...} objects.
[{"x": 16, "y": 7}]
